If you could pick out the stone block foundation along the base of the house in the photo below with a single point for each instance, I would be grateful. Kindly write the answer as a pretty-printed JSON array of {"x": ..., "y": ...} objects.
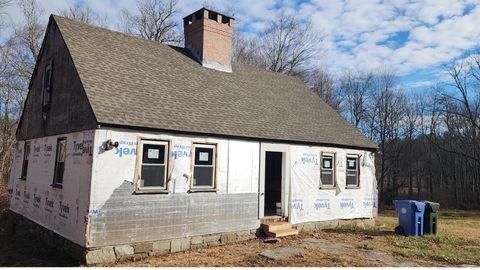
[{"x": 111, "y": 254}]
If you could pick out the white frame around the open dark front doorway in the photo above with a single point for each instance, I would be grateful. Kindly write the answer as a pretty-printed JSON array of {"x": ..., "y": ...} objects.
[{"x": 285, "y": 150}]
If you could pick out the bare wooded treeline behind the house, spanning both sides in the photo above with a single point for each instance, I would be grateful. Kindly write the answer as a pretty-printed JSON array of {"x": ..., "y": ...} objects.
[{"x": 429, "y": 146}]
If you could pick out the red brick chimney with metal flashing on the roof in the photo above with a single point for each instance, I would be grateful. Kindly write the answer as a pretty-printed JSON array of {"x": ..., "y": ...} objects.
[{"x": 208, "y": 35}]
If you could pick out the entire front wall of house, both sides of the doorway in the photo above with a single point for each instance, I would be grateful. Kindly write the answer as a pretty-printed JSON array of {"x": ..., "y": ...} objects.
[{"x": 119, "y": 215}]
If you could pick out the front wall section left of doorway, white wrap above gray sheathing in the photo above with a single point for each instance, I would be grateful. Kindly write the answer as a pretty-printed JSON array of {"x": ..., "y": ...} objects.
[{"x": 119, "y": 215}]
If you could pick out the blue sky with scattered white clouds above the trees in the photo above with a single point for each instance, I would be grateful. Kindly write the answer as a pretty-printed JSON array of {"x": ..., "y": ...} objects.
[{"x": 413, "y": 38}]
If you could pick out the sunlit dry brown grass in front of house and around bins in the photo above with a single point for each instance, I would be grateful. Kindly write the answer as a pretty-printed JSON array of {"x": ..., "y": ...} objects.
[{"x": 456, "y": 244}]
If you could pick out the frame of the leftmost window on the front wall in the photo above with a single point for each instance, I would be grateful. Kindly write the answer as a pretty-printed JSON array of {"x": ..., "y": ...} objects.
[{"x": 140, "y": 157}]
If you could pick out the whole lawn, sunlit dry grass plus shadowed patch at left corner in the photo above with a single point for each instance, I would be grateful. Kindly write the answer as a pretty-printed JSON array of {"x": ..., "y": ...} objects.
[{"x": 457, "y": 243}]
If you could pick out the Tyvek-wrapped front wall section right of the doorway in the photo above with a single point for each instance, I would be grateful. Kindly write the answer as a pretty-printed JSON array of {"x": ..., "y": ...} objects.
[{"x": 308, "y": 202}]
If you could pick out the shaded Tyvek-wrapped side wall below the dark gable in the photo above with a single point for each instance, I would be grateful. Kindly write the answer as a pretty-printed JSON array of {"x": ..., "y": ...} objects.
[{"x": 62, "y": 210}]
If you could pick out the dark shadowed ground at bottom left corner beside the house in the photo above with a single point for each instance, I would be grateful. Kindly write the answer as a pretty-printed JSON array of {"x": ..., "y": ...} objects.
[{"x": 22, "y": 249}]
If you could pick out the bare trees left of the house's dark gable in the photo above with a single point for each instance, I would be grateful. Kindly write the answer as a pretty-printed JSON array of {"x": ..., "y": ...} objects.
[{"x": 18, "y": 54}]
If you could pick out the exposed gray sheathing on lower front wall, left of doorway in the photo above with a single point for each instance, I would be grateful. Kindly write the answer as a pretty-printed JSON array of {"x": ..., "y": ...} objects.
[{"x": 128, "y": 218}]
